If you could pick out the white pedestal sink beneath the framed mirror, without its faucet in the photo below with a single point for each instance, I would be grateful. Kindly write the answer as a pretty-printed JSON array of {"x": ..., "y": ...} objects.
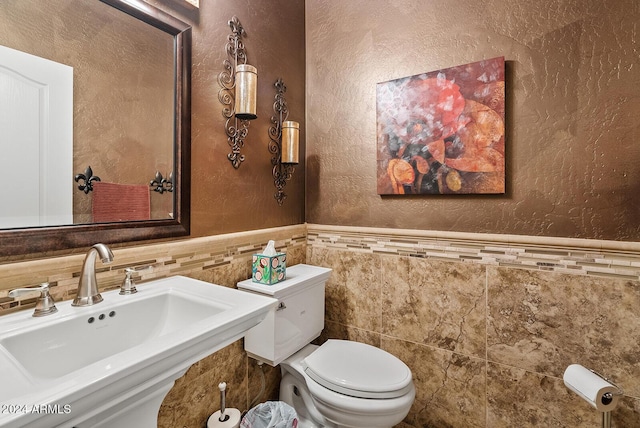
[{"x": 111, "y": 364}]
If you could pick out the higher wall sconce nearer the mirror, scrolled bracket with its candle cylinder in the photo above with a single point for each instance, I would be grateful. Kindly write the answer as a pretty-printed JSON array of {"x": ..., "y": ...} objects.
[{"x": 239, "y": 83}]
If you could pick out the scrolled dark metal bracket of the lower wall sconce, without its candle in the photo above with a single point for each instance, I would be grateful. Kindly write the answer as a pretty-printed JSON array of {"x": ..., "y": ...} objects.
[{"x": 281, "y": 172}]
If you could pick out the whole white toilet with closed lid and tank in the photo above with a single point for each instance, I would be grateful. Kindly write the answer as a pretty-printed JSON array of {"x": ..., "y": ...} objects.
[{"x": 339, "y": 384}]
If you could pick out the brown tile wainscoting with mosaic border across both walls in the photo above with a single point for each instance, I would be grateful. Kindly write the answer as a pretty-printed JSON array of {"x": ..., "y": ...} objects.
[{"x": 487, "y": 323}]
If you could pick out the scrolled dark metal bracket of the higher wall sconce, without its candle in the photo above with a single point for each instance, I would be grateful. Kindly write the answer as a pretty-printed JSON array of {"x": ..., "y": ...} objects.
[{"x": 236, "y": 130}]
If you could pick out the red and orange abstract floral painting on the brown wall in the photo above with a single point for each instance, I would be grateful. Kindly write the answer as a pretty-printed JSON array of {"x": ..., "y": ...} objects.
[{"x": 442, "y": 132}]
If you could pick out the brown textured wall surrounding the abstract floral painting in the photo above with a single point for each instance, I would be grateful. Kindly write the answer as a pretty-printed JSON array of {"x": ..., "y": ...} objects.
[{"x": 573, "y": 99}]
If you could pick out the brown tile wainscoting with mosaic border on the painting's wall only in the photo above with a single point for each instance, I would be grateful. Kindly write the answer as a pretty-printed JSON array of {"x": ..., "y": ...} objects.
[{"x": 488, "y": 323}]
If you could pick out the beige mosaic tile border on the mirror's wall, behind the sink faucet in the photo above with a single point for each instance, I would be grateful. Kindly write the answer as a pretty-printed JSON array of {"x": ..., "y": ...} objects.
[{"x": 185, "y": 257}]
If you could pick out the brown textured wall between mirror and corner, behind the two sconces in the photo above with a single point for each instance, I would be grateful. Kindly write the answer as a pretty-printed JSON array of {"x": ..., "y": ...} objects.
[{"x": 224, "y": 199}]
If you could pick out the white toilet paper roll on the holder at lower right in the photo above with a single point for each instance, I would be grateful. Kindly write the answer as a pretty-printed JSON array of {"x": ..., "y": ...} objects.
[{"x": 591, "y": 387}]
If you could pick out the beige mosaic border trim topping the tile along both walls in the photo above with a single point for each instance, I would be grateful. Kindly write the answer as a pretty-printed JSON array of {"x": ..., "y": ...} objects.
[{"x": 573, "y": 256}]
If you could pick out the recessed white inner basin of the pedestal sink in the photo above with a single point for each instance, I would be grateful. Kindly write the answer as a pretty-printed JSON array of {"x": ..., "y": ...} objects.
[{"x": 56, "y": 349}]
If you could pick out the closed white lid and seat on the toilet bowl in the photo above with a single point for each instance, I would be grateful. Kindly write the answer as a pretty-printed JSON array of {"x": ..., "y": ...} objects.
[{"x": 358, "y": 370}]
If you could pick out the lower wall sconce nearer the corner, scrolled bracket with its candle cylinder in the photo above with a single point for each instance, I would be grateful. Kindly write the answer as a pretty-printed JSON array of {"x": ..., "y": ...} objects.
[{"x": 284, "y": 142}]
